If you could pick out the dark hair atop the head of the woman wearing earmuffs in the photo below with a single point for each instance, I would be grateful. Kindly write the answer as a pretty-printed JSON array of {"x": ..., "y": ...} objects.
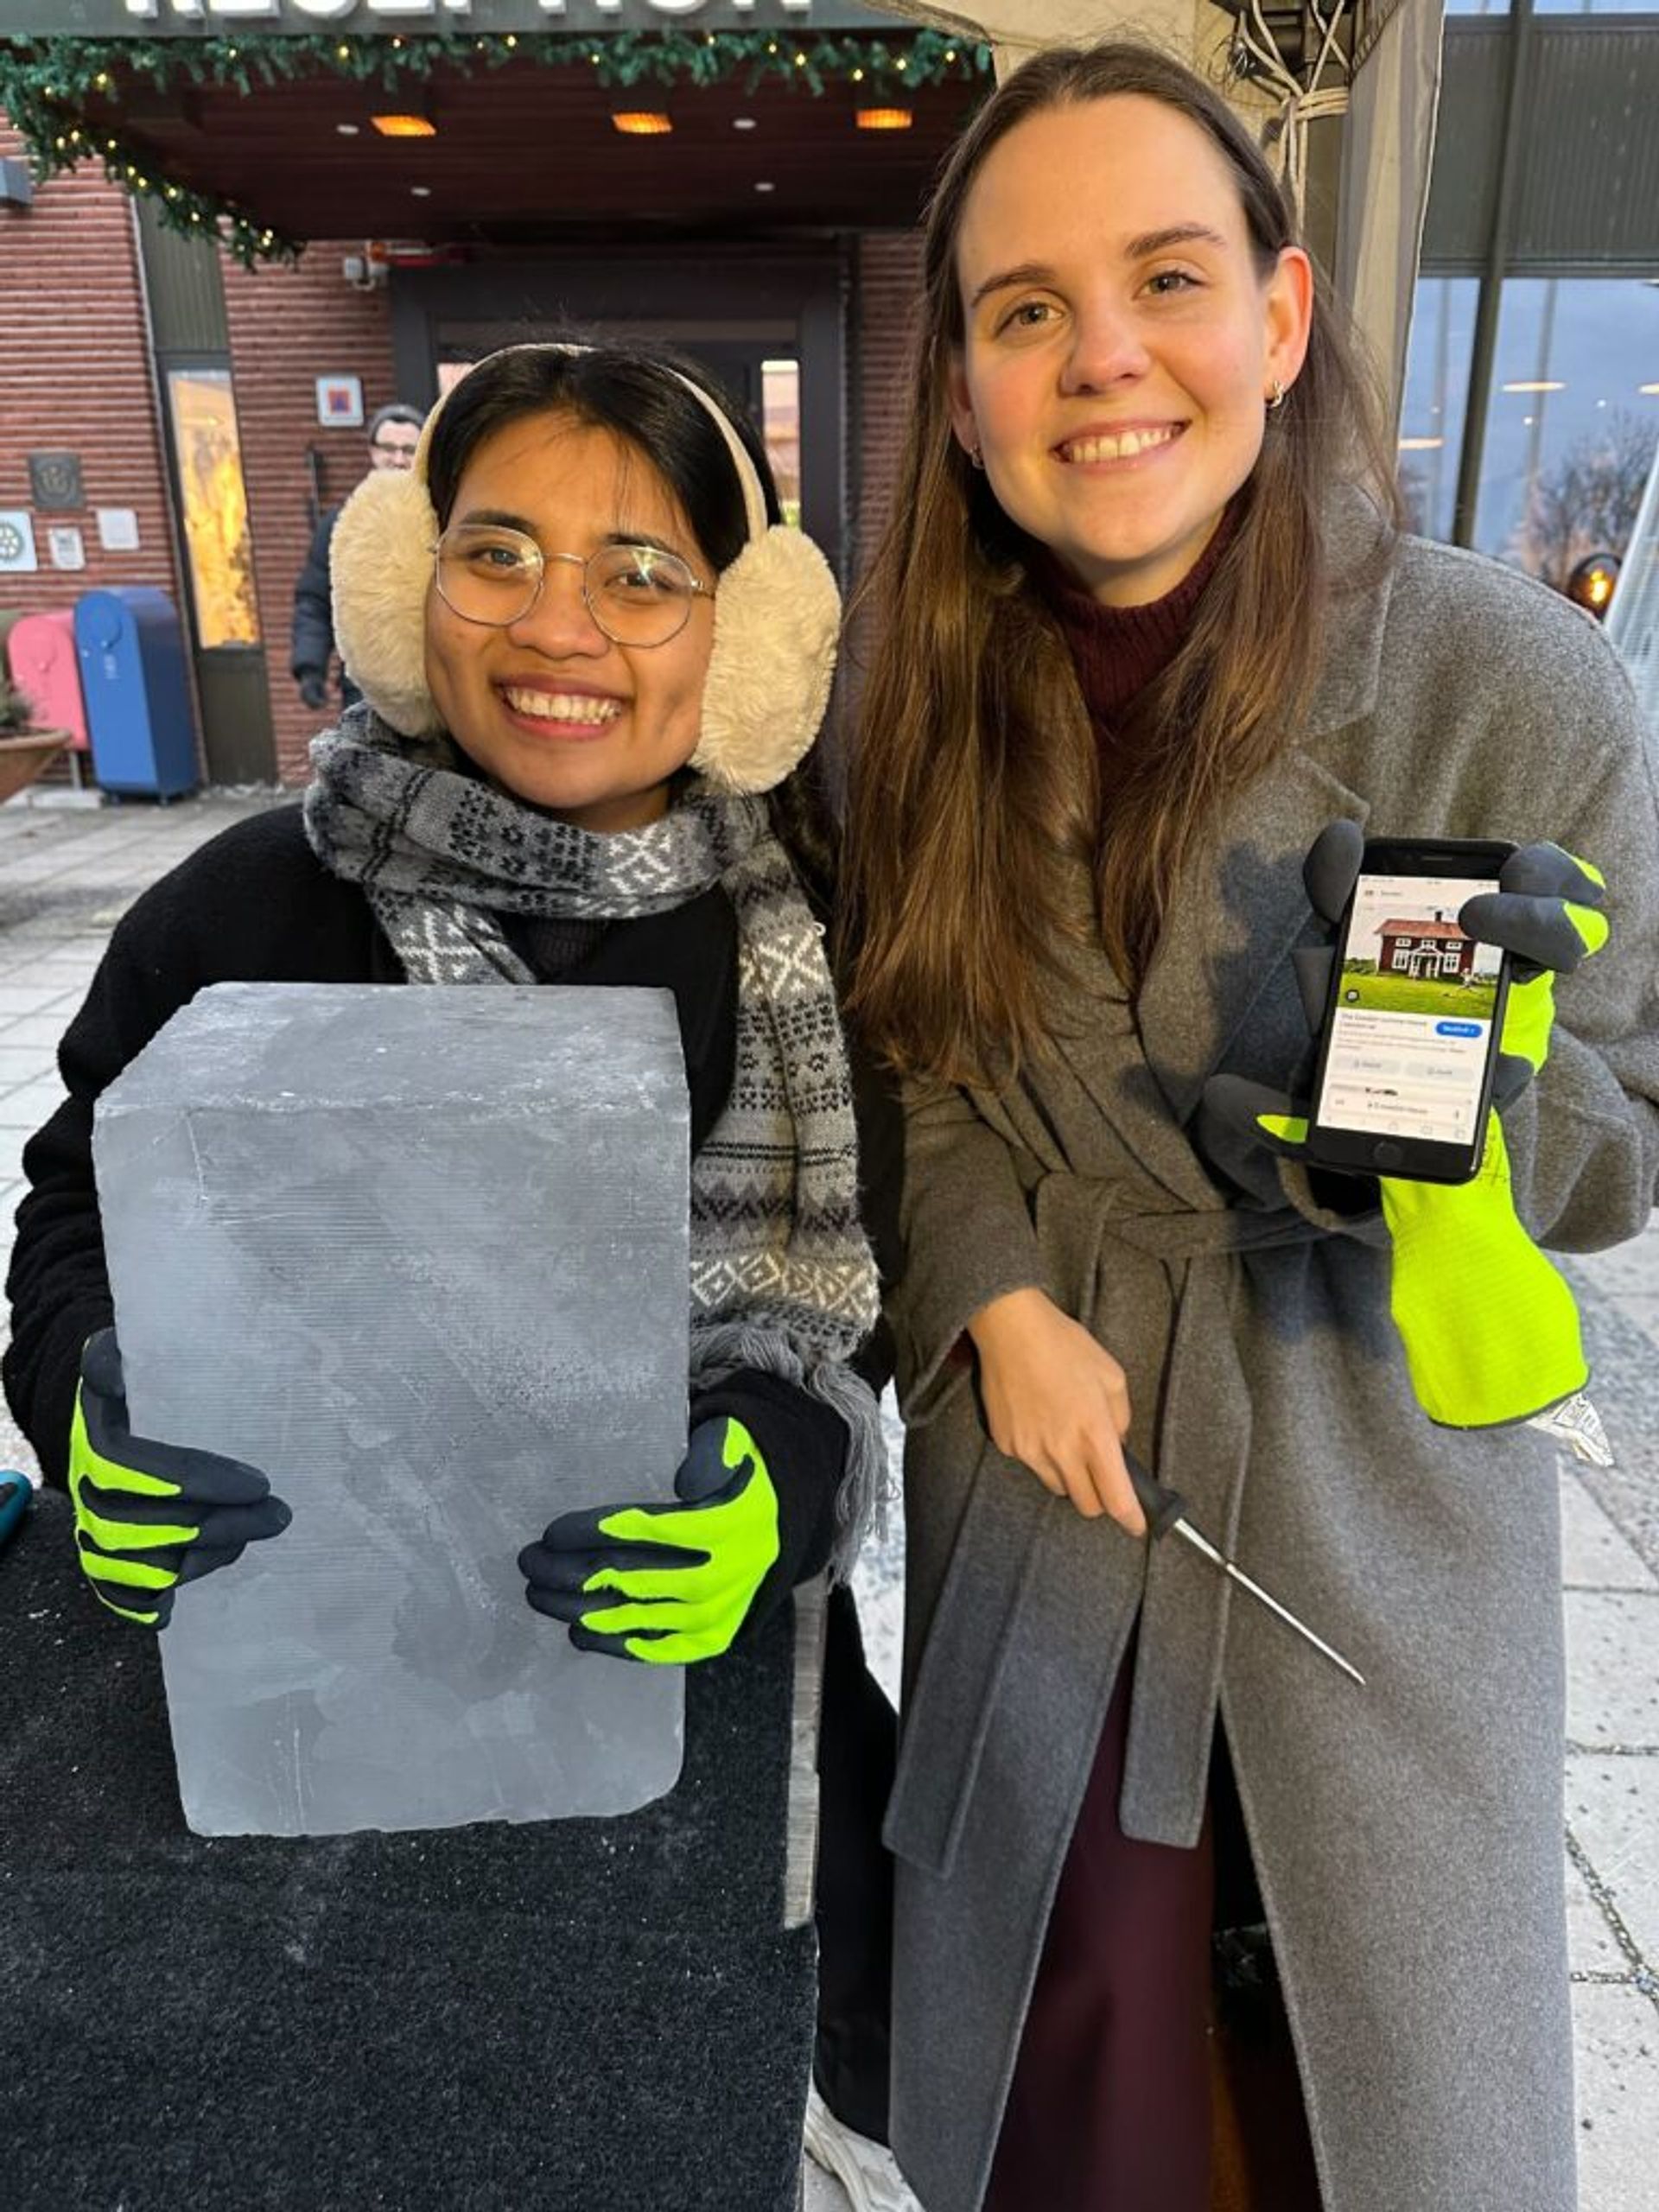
[{"x": 632, "y": 393}]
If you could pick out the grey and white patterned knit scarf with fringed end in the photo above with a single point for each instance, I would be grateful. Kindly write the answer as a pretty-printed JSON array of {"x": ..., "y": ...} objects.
[{"x": 782, "y": 1275}]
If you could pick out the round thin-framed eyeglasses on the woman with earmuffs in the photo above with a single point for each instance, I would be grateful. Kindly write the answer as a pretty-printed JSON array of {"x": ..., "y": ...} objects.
[{"x": 638, "y": 594}]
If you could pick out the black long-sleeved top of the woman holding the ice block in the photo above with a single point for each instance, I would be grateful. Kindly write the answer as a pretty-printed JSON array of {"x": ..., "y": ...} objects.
[{"x": 255, "y": 906}]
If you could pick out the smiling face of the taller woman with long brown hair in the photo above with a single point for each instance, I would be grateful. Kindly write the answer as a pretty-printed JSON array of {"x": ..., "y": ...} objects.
[{"x": 1120, "y": 340}]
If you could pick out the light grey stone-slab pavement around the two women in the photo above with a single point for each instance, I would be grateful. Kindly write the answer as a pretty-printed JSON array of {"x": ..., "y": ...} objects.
[{"x": 67, "y": 873}]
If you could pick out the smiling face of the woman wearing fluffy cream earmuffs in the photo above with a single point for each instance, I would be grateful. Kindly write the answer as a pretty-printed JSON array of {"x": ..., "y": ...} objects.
[{"x": 550, "y": 707}]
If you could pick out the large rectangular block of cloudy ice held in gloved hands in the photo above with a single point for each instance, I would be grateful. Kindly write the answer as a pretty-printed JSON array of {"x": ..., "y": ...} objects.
[{"x": 421, "y": 1255}]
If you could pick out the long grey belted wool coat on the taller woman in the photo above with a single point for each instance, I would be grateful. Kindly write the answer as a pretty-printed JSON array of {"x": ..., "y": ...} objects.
[{"x": 1408, "y": 1835}]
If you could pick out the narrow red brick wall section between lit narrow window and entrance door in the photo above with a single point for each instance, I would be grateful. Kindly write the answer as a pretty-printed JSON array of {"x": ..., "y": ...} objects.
[{"x": 289, "y": 326}]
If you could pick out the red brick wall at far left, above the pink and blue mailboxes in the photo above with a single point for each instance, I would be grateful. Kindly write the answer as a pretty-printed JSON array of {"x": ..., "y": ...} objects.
[{"x": 76, "y": 377}]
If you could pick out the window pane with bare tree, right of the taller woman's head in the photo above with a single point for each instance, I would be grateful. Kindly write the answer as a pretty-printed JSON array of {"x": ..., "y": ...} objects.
[{"x": 1574, "y": 421}]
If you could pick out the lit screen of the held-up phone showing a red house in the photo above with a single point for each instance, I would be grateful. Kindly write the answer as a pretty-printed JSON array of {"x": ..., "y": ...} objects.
[{"x": 1412, "y": 1014}]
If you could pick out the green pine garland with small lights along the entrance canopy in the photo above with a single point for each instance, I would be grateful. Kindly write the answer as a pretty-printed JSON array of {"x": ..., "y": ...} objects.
[{"x": 50, "y": 83}]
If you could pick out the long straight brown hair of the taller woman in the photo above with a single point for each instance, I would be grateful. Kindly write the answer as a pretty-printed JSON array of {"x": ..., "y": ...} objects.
[{"x": 974, "y": 780}]
